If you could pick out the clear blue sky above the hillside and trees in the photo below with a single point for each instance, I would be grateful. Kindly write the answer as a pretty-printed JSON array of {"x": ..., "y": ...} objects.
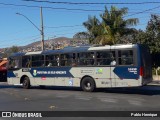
[{"x": 60, "y": 19}]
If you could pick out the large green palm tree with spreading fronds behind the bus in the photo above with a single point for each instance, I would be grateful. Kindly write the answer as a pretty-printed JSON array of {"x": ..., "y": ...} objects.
[{"x": 112, "y": 26}]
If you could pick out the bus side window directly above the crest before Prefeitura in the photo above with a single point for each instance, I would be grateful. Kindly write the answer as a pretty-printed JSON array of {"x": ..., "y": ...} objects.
[{"x": 38, "y": 61}]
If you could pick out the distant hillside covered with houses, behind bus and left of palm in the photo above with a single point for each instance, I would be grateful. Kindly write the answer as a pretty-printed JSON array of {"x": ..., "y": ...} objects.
[{"x": 56, "y": 43}]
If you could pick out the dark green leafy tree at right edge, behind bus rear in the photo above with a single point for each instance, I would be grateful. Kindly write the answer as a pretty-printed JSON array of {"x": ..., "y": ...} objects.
[{"x": 152, "y": 39}]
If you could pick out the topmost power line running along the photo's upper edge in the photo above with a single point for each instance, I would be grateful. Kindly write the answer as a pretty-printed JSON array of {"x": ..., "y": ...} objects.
[{"x": 91, "y": 3}]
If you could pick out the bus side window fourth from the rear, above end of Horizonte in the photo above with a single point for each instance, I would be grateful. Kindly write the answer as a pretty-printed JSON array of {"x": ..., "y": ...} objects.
[{"x": 67, "y": 59}]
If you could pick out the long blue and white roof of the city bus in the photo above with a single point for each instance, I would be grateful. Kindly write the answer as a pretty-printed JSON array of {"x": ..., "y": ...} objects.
[{"x": 78, "y": 49}]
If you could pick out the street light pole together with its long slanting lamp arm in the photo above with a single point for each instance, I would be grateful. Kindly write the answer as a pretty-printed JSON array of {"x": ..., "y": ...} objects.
[{"x": 41, "y": 30}]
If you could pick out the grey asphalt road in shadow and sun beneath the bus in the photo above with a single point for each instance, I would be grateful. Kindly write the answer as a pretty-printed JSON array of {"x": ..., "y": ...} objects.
[{"x": 15, "y": 98}]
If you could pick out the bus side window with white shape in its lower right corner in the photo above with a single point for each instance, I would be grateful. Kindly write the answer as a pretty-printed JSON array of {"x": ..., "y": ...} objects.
[{"x": 106, "y": 58}]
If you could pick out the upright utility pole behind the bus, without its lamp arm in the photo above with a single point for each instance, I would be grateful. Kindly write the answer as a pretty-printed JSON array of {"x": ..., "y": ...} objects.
[{"x": 42, "y": 29}]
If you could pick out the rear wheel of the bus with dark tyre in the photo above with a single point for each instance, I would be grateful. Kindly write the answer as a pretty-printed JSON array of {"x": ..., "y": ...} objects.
[{"x": 88, "y": 84}]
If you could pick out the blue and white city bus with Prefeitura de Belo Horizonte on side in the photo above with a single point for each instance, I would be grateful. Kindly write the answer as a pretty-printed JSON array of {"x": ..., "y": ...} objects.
[{"x": 88, "y": 67}]
